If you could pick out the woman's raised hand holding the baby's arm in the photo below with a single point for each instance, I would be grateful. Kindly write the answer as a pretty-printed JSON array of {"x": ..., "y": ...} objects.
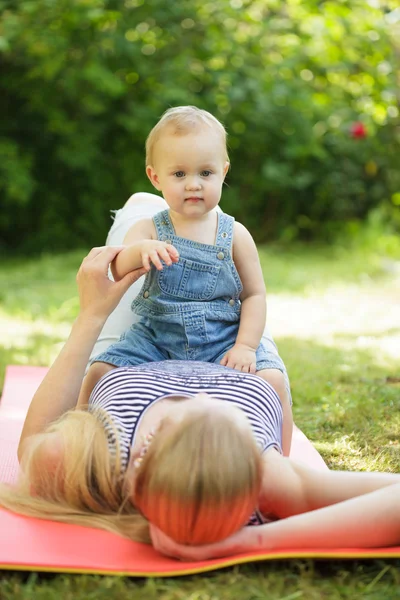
[{"x": 98, "y": 295}]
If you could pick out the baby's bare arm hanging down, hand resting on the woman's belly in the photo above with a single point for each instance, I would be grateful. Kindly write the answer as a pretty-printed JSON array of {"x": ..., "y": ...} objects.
[{"x": 253, "y": 298}]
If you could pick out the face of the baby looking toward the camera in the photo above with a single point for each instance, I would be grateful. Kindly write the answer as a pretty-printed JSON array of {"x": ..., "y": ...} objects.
[{"x": 189, "y": 170}]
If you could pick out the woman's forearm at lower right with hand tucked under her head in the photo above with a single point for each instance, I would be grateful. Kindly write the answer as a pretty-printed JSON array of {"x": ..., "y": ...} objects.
[{"x": 369, "y": 521}]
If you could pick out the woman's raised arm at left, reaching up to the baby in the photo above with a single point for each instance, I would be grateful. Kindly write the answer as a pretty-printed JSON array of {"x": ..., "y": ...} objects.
[{"x": 98, "y": 297}]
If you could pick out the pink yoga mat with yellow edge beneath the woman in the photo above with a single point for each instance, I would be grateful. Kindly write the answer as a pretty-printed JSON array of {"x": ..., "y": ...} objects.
[{"x": 38, "y": 545}]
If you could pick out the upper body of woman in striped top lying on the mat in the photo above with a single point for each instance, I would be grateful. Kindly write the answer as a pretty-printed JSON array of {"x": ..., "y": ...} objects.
[{"x": 191, "y": 449}]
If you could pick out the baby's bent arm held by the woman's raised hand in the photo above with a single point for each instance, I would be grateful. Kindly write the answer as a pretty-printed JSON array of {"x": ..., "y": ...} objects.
[{"x": 142, "y": 248}]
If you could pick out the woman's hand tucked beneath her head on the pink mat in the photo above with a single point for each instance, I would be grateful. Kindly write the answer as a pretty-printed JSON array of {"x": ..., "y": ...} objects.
[{"x": 239, "y": 542}]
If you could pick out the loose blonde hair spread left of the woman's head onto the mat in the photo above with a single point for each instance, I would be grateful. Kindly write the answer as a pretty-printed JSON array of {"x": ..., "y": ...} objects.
[{"x": 88, "y": 486}]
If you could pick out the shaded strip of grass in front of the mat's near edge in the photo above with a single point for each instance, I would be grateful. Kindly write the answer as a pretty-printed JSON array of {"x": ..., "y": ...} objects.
[{"x": 294, "y": 580}]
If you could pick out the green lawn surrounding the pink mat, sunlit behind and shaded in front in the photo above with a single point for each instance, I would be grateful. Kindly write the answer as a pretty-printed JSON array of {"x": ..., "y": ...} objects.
[{"x": 346, "y": 399}]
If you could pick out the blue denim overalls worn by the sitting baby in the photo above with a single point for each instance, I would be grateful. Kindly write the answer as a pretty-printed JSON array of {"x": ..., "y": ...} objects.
[{"x": 189, "y": 310}]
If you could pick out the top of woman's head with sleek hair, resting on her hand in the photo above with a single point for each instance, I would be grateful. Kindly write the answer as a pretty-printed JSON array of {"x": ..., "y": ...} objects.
[{"x": 200, "y": 479}]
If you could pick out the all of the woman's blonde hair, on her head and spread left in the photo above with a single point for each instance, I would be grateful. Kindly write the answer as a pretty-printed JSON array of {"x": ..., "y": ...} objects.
[{"x": 199, "y": 481}]
